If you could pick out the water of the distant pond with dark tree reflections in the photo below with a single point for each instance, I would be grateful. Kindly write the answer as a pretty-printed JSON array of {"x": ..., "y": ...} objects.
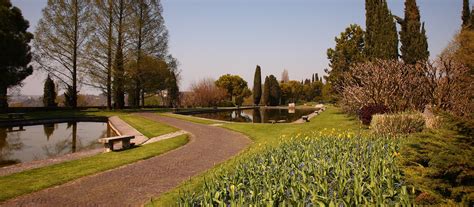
[{"x": 261, "y": 115}]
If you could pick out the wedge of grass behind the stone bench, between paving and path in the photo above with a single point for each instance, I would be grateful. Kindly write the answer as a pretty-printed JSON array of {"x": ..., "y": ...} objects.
[{"x": 148, "y": 127}]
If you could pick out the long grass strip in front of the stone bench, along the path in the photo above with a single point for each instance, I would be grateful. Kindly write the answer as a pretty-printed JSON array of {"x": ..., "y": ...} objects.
[{"x": 37, "y": 179}]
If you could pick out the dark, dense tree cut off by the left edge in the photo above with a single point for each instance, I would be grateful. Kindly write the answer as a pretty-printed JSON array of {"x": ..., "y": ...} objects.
[{"x": 15, "y": 55}]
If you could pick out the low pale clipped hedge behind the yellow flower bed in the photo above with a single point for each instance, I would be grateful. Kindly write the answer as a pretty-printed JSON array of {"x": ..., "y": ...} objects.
[{"x": 401, "y": 123}]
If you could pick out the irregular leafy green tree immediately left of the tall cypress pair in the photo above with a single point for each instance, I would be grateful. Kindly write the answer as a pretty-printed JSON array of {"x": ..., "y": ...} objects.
[{"x": 349, "y": 50}]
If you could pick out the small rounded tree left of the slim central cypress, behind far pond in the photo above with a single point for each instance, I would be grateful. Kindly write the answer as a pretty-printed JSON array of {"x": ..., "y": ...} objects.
[{"x": 233, "y": 84}]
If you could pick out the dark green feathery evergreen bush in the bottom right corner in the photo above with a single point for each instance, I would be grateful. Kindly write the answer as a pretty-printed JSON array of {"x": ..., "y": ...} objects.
[{"x": 438, "y": 164}]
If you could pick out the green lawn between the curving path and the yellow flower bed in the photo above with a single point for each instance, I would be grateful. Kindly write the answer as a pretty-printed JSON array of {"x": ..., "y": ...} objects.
[{"x": 264, "y": 135}]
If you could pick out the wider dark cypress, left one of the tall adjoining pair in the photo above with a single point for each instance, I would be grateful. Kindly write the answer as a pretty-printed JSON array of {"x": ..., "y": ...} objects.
[{"x": 381, "y": 40}]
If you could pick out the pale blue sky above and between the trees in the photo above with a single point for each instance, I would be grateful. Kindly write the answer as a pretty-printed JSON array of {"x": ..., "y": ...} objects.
[{"x": 211, "y": 38}]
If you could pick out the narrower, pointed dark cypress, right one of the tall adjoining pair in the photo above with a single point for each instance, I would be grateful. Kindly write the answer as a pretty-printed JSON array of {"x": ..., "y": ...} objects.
[{"x": 412, "y": 36}]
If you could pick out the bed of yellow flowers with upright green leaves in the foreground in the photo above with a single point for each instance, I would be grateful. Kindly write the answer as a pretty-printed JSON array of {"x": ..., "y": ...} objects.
[{"x": 330, "y": 169}]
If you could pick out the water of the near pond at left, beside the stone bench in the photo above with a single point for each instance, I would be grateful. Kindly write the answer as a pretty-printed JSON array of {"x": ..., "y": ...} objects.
[{"x": 49, "y": 140}]
